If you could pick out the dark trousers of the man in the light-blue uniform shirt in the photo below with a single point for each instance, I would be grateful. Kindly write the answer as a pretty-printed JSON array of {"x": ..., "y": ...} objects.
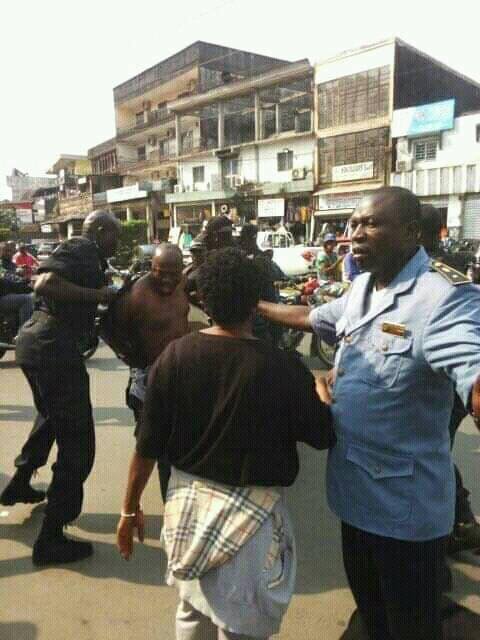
[{"x": 397, "y": 585}]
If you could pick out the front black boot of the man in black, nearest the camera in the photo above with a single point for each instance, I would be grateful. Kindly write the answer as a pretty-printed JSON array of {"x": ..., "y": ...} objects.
[{"x": 52, "y": 547}]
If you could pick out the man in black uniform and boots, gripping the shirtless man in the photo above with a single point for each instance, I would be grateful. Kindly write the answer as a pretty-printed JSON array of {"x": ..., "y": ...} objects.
[{"x": 49, "y": 350}]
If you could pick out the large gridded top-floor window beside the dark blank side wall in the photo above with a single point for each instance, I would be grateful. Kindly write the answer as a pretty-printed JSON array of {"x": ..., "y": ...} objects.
[{"x": 354, "y": 98}]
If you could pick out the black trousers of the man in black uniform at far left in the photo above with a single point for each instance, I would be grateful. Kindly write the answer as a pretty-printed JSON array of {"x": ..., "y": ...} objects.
[{"x": 62, "y": 399}]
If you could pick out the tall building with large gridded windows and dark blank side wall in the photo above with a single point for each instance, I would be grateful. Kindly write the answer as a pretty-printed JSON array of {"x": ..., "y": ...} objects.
[{"x": 357, "y": 93}]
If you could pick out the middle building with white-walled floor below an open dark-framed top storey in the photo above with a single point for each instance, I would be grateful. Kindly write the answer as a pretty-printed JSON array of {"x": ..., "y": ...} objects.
[{"x": 248, "y": 146}]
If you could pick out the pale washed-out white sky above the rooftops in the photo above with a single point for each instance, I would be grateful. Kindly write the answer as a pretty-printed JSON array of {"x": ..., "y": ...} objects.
[{"x": 60, "y": 61}]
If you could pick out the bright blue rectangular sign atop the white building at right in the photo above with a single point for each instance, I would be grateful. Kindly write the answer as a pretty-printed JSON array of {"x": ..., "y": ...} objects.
[{"x": 427, "y": 118}]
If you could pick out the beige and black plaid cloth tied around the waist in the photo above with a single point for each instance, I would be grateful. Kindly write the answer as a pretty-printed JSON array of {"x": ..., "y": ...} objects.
[{"x": 205, "y": 523}]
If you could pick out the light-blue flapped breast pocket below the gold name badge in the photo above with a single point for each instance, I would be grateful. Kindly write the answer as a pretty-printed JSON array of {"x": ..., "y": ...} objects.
[{"x": 386, "y": 356}]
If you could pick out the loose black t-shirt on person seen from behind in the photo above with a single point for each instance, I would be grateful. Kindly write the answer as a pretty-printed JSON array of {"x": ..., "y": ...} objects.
[{"x": 231, "y": 410}]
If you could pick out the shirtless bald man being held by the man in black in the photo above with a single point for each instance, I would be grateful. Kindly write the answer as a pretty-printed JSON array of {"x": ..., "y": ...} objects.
[{"x": 152, "y": 313}]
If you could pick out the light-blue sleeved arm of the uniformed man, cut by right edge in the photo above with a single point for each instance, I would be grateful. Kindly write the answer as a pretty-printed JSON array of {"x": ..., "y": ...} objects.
[{"x": 451, "y": 343}]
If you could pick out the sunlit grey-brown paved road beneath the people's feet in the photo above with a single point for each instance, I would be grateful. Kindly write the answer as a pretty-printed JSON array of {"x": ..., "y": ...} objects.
[{"x": 106, "y": 598}]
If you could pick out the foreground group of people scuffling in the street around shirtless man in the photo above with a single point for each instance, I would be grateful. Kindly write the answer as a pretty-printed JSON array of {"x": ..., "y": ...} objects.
[{"x": 220, "y": 411}]
